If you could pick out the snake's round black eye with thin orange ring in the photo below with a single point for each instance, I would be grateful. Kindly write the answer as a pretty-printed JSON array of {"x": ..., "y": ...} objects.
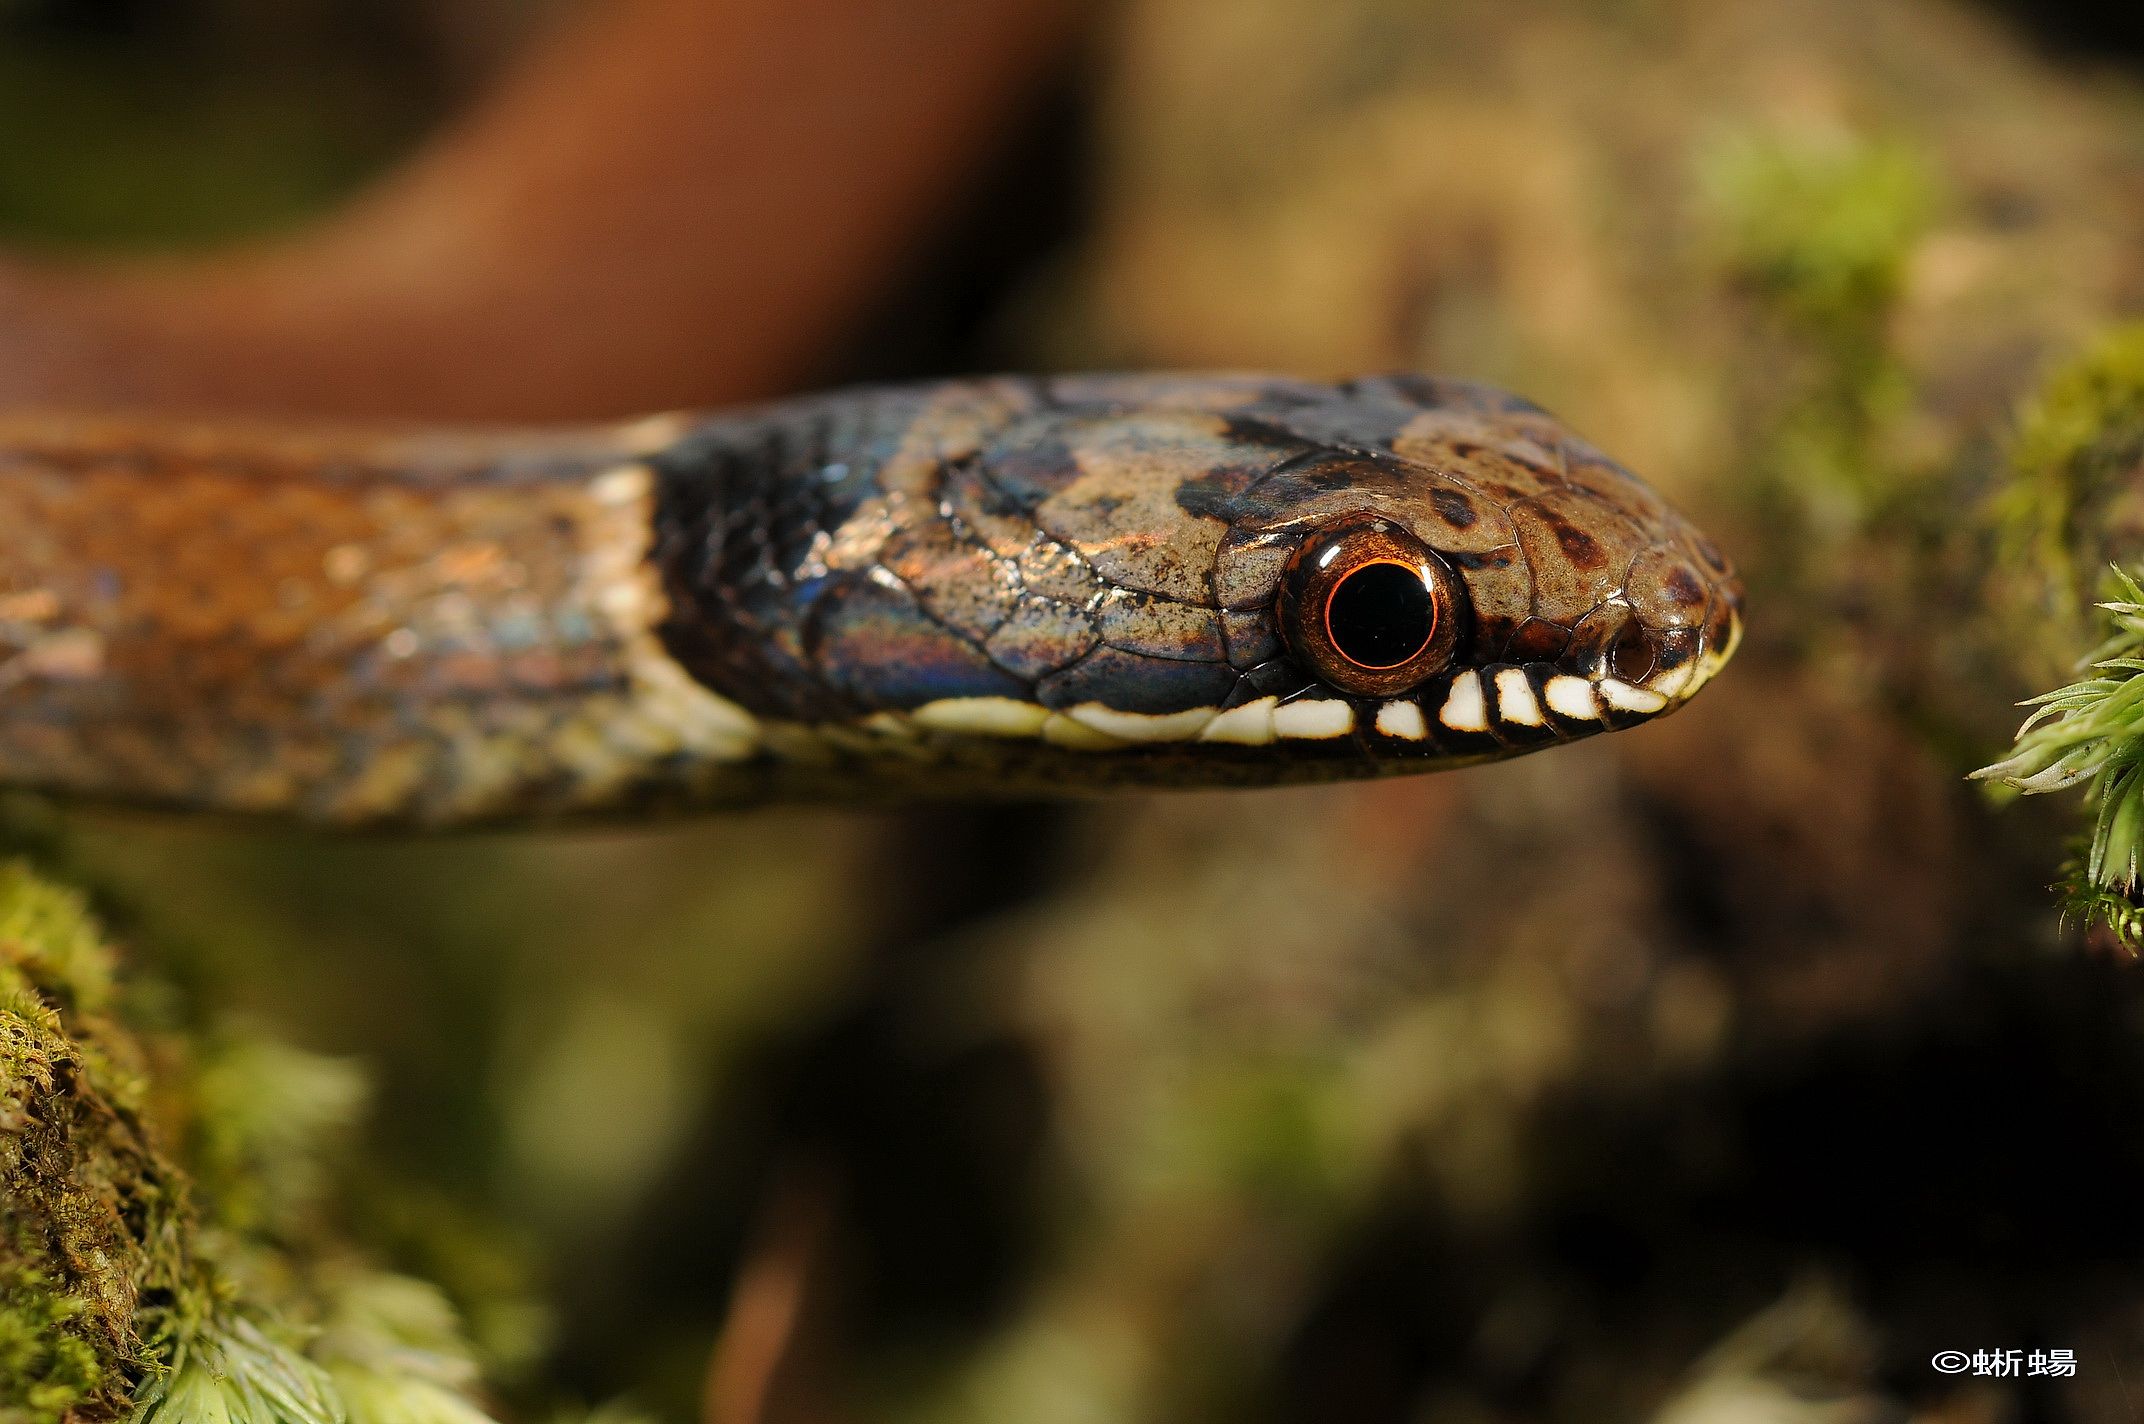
[{"x": 1371, "y": 608}]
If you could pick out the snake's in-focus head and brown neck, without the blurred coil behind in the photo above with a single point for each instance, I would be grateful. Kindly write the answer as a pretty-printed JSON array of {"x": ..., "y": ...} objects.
[{"x": 983, "y": 587}]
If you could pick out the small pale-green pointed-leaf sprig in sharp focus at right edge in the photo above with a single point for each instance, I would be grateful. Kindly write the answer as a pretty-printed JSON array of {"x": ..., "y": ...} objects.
[{"x": 2091, "y": 732}]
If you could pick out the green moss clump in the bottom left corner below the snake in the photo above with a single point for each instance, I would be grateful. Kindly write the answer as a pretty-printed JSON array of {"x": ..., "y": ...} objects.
[{"x": 170, "y": 1245}]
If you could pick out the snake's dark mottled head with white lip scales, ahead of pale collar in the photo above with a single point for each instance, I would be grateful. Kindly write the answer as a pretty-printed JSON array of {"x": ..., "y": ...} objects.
[{"x": 1200, "y": 578}]
